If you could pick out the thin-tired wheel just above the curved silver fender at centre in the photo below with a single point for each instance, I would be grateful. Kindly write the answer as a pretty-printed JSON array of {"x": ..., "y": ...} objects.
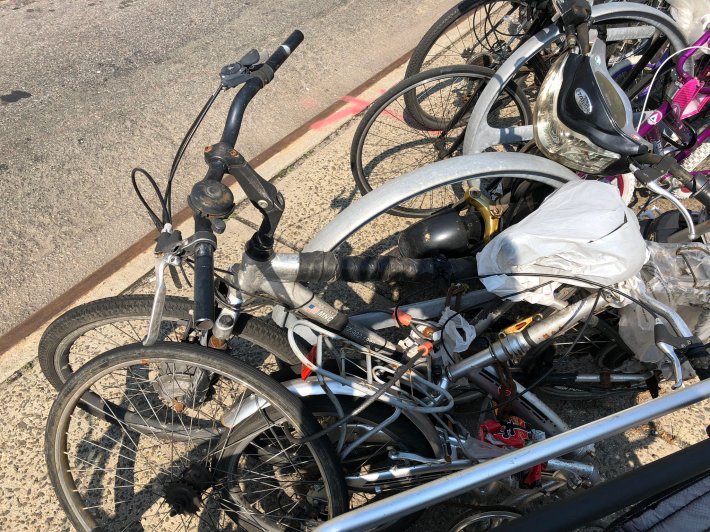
[{"x": 390, "y": 140}]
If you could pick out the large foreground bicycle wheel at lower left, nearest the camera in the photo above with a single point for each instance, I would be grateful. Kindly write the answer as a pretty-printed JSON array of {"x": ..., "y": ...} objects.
[{"x": 111, "y": 474}]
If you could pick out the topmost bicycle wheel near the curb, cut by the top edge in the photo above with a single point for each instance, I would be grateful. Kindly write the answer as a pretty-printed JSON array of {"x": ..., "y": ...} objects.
[{"x": 478, "y": 32}]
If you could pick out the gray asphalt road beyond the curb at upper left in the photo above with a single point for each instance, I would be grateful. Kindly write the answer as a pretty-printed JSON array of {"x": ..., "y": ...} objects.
[{"x": 91, "y": 88}]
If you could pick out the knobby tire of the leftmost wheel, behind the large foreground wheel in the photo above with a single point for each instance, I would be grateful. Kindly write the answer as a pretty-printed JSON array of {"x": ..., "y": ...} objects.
[{"x": 63, "y": 333}]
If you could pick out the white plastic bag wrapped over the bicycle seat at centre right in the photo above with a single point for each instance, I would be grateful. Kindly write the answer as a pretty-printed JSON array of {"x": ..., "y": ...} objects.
[{"x": 583, "y": 230}]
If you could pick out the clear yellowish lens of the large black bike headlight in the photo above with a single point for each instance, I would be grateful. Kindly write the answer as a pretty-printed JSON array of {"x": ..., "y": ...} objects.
[{"x": 557, "y": 141}]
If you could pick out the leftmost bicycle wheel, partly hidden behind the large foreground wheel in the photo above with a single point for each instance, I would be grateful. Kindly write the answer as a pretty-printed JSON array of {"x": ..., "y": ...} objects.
[{"x": 93, "y": 328}]
